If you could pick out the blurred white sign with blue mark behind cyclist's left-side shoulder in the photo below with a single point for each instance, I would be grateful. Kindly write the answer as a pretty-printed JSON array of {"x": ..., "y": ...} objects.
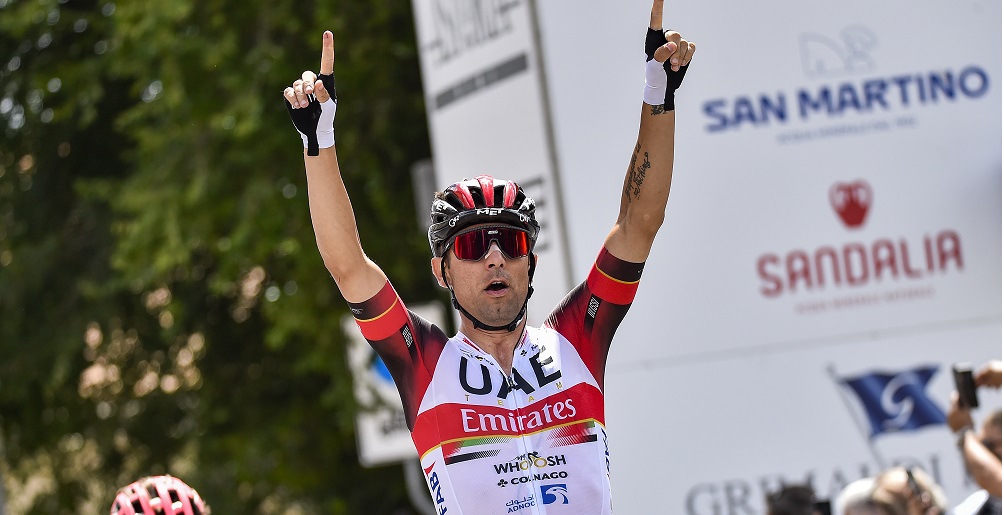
[{"x": 381, "y": 429}]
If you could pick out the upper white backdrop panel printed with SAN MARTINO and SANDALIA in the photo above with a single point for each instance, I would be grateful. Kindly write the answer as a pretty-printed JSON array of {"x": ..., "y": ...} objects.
[{"x": 848, "y": 185}]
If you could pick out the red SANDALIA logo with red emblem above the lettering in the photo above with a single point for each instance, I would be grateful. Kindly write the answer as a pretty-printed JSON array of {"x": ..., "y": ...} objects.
[{"x": 858, "y": 265}]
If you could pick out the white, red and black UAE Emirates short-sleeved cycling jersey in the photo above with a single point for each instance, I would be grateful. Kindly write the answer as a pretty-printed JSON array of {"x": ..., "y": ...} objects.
[{"x": 532, "y": 442}]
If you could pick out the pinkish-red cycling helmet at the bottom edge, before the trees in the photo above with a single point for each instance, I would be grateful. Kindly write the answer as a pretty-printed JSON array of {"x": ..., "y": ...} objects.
[{"x": 159, "y": 495}]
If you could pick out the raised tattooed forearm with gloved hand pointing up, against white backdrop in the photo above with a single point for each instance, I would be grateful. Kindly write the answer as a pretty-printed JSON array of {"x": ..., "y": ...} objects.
[{"x": 647, "y": 185}]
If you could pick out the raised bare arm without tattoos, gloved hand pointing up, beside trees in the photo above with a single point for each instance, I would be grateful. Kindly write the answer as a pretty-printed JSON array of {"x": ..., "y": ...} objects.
[{"x": 312, "y": 105}]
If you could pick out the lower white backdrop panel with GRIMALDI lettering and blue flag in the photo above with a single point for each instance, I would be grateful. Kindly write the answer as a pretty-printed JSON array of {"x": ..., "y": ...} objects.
[{"x": 716, "y": 437}]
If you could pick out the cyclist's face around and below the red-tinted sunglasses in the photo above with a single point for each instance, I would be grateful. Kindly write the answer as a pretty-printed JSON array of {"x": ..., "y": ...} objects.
[{"x": 493, "y": 289}]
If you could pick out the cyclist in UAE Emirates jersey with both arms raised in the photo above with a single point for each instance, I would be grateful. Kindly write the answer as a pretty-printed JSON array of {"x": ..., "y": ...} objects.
[{"x": 507, "y": 418}]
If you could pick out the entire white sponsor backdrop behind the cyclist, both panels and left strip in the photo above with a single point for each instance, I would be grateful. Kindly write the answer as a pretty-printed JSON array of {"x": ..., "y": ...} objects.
[{"x": 718, "y": 386}]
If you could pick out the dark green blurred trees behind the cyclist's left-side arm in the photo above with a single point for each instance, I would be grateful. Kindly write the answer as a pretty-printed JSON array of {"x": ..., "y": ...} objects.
[{"x": 163, "y": 308}]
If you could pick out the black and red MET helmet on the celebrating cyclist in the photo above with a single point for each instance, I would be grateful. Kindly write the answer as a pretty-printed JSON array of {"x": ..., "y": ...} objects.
[{"x": 465, "y": 204}]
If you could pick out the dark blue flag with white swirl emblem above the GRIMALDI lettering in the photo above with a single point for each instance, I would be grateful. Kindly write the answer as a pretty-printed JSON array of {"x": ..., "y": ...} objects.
[{"x": 897, "y": 402}]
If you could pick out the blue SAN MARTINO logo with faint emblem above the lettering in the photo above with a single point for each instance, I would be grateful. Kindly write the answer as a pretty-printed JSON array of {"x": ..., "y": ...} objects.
[{"x": 825, "y": 57}]
